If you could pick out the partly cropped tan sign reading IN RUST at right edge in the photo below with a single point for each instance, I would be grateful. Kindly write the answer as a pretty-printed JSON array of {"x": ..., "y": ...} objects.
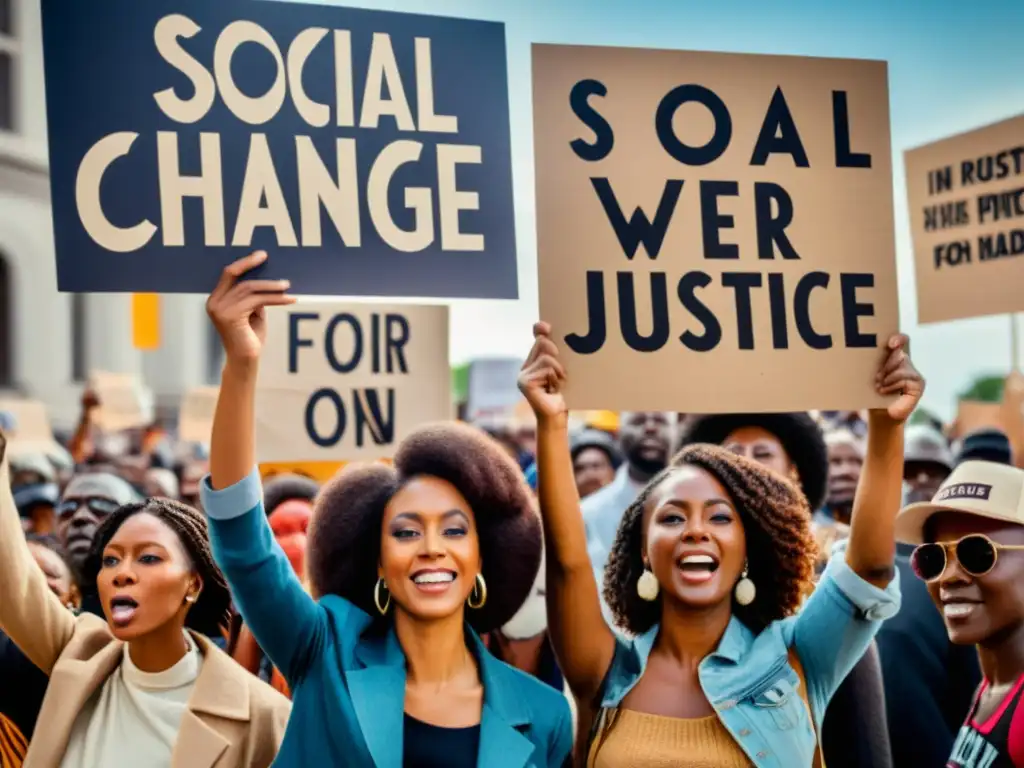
[{"x": 967, "y": 217}]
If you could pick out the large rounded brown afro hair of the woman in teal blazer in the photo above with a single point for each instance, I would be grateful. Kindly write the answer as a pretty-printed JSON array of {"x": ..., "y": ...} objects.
[{"x": 346, "y": 532}]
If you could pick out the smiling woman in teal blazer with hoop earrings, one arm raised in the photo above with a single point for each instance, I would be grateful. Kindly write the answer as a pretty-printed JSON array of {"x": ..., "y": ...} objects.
[{"x": 407, "y": 565}]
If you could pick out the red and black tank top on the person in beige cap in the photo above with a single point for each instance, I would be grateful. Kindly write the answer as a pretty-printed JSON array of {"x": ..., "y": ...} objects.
[{"x": 999, "y": 743}]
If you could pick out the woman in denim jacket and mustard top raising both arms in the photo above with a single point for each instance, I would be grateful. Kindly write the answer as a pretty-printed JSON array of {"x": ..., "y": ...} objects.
[{"x": 734, "y": 658}]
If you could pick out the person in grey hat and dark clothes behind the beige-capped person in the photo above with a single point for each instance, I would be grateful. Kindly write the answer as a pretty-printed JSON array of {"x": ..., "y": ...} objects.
[{"x": 929, "y": 681}]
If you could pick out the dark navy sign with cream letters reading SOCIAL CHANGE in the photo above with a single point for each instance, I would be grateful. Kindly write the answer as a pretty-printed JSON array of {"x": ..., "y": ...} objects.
[{"x": 369, "y": 150}]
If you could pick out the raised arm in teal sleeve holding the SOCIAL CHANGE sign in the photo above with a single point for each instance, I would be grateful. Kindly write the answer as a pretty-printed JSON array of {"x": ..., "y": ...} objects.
[{"x": 284, "y": 619}]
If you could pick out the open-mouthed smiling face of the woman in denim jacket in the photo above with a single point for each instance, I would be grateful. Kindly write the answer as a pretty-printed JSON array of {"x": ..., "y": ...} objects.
[{"x": 694, "y": 539}]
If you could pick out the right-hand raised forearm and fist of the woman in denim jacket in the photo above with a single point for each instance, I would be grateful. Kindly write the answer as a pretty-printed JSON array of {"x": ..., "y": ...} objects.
[{"x": 872, "y": 553}]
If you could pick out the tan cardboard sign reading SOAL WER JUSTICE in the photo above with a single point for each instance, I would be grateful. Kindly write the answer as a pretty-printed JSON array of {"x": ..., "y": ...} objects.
[{"x": 715, "y": 231}]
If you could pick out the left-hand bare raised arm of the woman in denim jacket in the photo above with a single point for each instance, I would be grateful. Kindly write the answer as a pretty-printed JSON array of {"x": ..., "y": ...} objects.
[{"x": 583, "y": 642}]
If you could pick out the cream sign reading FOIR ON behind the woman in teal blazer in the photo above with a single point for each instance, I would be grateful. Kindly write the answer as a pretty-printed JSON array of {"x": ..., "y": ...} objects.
[{"x": 345, "y": 382}]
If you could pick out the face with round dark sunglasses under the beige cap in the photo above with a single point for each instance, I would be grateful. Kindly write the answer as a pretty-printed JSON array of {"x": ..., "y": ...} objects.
[{"x": 976, "y": 609}]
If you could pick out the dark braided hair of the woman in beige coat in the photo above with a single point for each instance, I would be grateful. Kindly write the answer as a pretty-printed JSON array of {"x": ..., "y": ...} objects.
[{"x": 211, "y": 613}]
